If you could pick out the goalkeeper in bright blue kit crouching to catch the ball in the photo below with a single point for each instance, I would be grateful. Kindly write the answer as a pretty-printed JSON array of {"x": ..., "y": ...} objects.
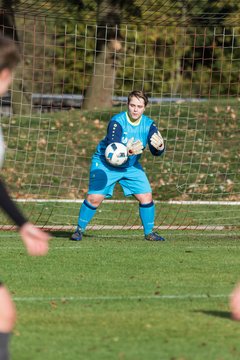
[{"x": 135, "y": 130}]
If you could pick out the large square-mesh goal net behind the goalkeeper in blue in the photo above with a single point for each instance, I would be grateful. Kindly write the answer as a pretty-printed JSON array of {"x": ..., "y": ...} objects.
[{"x": 74, "y": 76}]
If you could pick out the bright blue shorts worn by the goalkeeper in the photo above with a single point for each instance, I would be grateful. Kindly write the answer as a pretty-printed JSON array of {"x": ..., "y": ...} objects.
[{"x": 104, "y": 177}]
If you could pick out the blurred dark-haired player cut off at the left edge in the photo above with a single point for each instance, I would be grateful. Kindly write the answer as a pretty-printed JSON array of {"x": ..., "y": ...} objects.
[{"x": 35, "y": 240}]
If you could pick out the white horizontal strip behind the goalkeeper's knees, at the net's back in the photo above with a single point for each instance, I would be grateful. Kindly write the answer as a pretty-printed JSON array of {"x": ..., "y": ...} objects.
[{"x": 175, "y": 202}]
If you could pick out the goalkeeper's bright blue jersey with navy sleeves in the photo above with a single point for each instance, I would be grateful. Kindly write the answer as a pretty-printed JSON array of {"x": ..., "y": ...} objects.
[{"x": 121, "y": 129}]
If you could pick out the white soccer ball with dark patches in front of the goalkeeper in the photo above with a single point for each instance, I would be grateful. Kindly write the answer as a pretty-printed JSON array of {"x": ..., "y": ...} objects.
[{"x": 116, "y": 154}]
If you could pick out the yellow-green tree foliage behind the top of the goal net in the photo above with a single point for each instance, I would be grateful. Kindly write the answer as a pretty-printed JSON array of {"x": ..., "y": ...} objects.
[{"x": 197, "y": 54}]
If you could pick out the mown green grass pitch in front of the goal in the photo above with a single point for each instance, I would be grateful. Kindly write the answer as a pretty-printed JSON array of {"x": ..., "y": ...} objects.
[{"x": 116, "y": 296}]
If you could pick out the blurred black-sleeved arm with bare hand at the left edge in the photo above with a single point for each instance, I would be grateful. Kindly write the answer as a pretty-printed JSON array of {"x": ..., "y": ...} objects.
[{"x": 34, "y": 239}]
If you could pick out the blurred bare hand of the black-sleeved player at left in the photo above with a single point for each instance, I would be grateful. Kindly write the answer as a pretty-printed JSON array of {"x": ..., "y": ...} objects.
[{"x": 34, "y": 239}]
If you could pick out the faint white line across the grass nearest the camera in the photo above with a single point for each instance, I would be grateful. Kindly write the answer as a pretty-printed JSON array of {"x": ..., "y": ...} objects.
[{"x": 126, "y": 298}]
